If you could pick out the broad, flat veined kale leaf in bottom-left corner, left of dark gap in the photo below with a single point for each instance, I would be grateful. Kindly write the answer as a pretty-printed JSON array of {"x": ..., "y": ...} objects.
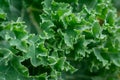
[{"x": 12, "y": 73}]
